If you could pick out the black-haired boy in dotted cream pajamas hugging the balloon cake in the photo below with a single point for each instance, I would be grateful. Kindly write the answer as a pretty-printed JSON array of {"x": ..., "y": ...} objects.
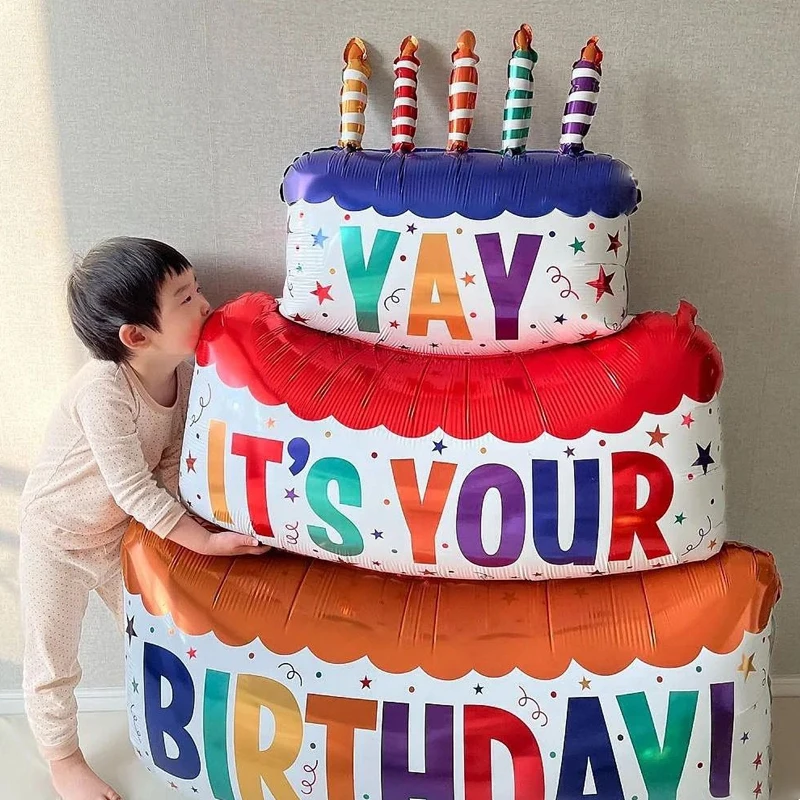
[{"x": 111, "y": 452}]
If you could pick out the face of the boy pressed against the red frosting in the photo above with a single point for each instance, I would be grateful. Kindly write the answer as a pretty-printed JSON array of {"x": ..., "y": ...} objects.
[{"x": 182, "y": 311}]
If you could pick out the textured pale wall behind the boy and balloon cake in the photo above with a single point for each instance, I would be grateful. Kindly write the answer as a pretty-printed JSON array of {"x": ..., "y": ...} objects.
[{"x": 176, "y": 120}]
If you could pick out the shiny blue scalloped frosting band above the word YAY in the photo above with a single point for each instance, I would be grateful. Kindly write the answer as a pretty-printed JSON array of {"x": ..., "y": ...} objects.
[{"x": 478, "y": 184}]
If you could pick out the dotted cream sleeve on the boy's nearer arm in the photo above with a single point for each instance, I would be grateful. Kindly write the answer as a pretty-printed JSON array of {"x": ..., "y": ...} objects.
[{"x": 107, "y": 414}]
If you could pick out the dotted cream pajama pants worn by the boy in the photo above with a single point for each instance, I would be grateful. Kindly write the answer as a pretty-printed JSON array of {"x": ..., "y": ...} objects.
[{"x": 54, "y": 587}]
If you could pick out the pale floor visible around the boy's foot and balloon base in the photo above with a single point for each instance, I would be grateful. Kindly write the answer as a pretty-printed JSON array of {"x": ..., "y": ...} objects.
[{"x": 23, "y": 775}]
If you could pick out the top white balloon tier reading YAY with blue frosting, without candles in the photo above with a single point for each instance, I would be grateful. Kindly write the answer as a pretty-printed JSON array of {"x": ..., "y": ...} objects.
[{"x": 458, "y": 253}]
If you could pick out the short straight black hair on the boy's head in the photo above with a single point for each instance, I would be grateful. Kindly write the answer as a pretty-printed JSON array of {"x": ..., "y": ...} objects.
[{"x": 117, "y": 283}]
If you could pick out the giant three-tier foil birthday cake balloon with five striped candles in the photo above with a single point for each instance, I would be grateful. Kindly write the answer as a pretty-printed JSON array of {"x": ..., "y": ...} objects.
[{"x": 497, "y": 500}]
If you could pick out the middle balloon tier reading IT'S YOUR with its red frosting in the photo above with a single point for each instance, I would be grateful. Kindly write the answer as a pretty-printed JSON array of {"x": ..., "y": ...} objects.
[{"x": 575, "y": 461}]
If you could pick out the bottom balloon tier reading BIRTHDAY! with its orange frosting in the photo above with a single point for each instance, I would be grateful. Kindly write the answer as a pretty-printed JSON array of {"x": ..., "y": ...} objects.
[{"x": 284, "y": 677}]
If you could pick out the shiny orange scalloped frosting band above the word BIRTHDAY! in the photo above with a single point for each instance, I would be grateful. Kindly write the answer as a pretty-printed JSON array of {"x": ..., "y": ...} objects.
[{"x": 450, "y": 627}]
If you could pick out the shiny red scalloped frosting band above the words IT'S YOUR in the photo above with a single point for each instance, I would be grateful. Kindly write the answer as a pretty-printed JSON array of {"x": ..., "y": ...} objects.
[{"x": 604, "y": 385}]
